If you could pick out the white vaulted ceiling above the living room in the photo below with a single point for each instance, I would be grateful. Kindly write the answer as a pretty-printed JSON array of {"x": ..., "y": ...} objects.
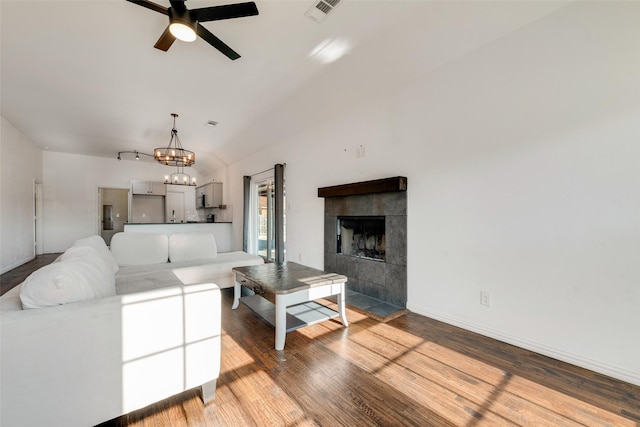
[{"x": 83, "y": 77}]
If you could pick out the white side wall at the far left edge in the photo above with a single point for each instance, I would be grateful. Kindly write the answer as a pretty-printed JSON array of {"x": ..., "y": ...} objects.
[{"x": 21, "y": 162}]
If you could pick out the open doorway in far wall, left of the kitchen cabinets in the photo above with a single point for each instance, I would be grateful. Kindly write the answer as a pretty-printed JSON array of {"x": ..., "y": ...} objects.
[{"x": 113, "y": 211}]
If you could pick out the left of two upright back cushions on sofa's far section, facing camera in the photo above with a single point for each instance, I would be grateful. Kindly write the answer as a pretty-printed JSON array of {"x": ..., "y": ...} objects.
[{"x": 140, "y": 248}]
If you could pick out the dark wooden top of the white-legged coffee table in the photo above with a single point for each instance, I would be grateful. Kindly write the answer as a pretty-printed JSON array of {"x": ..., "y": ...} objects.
[{"x": 288, "y": 277}]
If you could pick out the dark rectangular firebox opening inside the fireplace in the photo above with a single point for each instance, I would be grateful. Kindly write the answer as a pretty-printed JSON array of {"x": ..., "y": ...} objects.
[{"x": 361, "y": 236}]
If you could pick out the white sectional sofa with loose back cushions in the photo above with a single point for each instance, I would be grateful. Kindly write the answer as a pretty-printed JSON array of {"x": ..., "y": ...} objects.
[{"x": 100, "y": 333}]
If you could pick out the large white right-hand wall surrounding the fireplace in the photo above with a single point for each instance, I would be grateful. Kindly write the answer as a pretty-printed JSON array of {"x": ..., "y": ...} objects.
[{"x": 523, "y": 166}]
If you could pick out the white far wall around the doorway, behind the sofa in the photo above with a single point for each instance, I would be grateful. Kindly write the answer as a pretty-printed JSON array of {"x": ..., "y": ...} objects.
[{"x": 70, "y": 191}]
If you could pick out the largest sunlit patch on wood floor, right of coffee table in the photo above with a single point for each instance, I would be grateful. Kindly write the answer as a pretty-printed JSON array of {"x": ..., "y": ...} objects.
[{"x": 461, "y": 388}]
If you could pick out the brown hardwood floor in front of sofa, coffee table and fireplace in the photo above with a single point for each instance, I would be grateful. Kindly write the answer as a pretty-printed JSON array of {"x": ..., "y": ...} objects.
[{"x": 409, "y": 371}]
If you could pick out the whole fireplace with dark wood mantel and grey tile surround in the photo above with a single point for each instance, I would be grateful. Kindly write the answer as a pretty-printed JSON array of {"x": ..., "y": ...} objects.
[{"x": 365, "y": 237}]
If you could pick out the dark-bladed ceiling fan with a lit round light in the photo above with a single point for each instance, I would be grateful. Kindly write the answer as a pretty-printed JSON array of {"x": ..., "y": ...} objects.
[{"x": 184, "y": 24}]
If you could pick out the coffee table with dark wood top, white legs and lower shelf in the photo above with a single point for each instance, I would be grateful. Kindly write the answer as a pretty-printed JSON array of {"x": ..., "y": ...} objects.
[{"x": 295, "y": 288}]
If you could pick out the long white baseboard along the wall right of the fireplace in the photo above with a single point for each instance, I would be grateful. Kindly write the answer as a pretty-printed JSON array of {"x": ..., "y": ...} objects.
[{"x": 553, "y": 352}]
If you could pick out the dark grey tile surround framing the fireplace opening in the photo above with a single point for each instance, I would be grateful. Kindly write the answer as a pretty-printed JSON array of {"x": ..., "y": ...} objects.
[{"x": 385, "y": 281}]
